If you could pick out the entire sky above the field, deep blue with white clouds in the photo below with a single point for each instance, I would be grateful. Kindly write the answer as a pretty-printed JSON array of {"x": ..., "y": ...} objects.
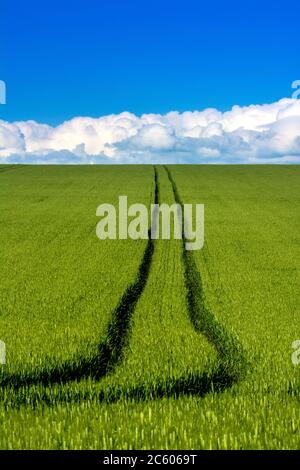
[{"x": 88, "y": 60}]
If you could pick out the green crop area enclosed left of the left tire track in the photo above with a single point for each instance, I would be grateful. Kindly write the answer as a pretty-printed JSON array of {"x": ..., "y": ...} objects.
[{"x": 59, "y": 284}]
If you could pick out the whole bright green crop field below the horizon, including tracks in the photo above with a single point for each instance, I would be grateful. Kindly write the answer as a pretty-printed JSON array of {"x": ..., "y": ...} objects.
[{"x": 193, "y": 350}]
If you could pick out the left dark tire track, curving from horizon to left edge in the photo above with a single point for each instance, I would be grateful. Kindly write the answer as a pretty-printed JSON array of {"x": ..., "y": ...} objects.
[{"x": 109, "y": 352}]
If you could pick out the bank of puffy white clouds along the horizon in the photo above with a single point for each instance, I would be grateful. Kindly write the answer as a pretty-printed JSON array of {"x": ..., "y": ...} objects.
[{"x": 254, "y": 134}]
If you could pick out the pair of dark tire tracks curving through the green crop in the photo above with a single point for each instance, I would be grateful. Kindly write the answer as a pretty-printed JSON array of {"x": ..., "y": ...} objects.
[{"x": 228, "y": 370}]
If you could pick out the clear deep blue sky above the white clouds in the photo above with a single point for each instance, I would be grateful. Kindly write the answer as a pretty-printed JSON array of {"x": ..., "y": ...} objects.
[{"x": 62, "y": 59}]
